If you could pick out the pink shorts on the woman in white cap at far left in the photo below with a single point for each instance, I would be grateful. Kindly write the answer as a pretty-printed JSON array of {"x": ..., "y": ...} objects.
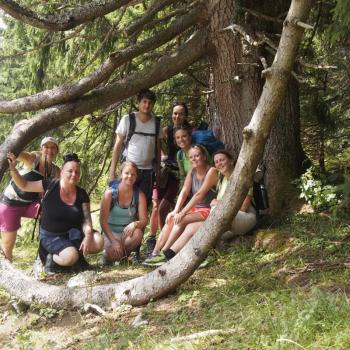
[{"x": 10, "y": 216}]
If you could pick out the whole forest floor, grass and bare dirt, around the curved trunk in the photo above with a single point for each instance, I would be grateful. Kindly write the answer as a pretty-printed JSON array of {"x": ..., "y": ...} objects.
[{"x": 285, "y": 286}]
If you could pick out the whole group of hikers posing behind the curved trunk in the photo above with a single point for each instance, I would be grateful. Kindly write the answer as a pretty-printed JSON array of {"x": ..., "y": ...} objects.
[{"x": 180, "y": 194}]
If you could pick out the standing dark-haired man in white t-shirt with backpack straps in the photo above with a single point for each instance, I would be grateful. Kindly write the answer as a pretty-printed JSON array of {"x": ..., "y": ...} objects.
[{"x": 143, "y": 148}]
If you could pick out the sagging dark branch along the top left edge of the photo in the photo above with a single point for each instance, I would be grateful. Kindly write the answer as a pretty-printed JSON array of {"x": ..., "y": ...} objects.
[{"x": 64, "y": 20}]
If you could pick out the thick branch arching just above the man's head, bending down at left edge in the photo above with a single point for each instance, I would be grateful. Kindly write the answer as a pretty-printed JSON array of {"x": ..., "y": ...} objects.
[{"x": 23, "y": 132}]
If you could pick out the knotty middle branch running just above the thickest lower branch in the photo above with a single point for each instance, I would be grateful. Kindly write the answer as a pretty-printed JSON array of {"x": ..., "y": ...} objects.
[{"x": 68, "y": 92}]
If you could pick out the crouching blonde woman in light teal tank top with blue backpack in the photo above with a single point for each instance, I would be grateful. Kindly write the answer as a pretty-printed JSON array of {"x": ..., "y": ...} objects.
[{"x": 123, "y": 215}]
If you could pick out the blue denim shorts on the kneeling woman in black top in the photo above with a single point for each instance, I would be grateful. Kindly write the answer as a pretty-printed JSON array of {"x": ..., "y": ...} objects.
[{"x": 54, "y": 243}]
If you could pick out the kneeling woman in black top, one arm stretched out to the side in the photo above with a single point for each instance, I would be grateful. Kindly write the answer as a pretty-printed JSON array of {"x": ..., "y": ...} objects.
[{"x": 66, "y": 232}]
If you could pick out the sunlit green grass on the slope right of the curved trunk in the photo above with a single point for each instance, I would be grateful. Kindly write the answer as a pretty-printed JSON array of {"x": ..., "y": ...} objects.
[{"x": 242, "y": 292}]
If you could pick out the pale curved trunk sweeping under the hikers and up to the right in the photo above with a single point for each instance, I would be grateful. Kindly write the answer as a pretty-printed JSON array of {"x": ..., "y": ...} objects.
[{"x": 167, "y": 277}]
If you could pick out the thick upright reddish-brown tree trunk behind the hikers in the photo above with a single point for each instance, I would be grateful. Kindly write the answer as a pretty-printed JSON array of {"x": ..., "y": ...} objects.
[{"x": 237, "y": 84}]
